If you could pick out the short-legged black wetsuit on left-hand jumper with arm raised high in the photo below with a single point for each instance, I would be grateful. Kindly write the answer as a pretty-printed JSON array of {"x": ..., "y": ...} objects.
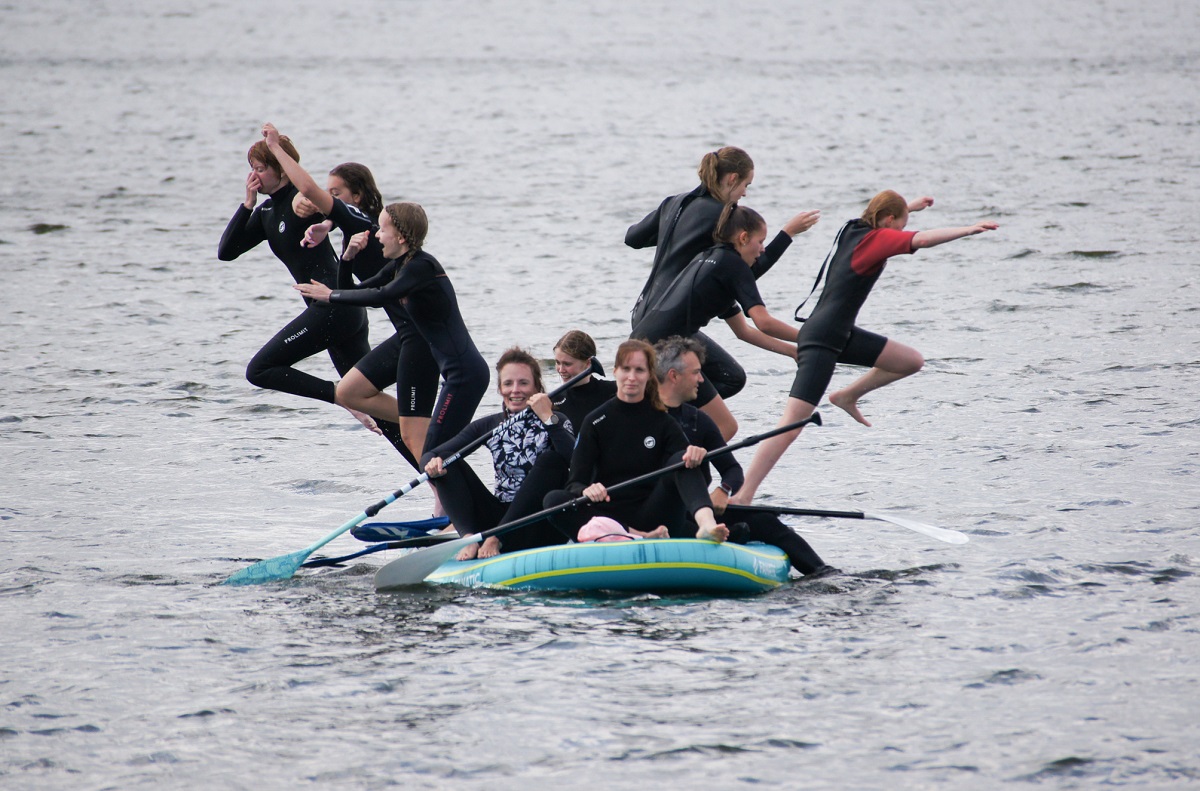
[{"x": 407, "y": 362}]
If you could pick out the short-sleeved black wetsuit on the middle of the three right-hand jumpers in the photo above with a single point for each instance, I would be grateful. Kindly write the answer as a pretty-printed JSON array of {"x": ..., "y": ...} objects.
[{"x": 713, "y": 285}]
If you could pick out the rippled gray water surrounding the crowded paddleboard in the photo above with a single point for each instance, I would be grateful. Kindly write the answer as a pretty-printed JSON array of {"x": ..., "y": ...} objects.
[{"x": 1055, "y": 422}]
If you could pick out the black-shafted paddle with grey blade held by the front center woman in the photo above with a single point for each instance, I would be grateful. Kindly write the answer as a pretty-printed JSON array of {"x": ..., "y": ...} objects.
[{"x": 412, "y": 570}]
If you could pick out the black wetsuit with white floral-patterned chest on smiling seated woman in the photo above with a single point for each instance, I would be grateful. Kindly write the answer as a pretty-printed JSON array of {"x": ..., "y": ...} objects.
[{"x": 529, "y": 459}]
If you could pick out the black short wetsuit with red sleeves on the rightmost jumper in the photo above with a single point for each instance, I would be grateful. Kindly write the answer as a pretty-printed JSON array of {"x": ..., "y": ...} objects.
[{"x": 830, "y": 337}]
